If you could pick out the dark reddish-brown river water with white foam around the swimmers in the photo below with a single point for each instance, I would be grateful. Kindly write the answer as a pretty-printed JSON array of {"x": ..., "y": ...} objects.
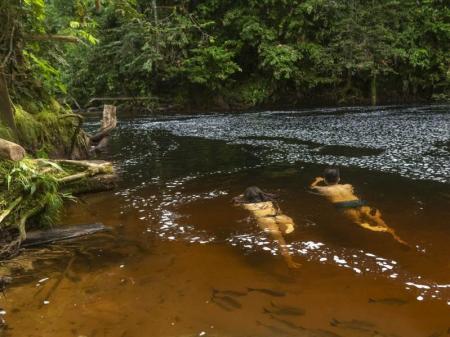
[{"x": 181, "y": 260}]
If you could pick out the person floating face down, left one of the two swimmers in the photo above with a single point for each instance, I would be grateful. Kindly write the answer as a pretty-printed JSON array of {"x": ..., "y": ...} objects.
[{"x": 269, "y": 217}]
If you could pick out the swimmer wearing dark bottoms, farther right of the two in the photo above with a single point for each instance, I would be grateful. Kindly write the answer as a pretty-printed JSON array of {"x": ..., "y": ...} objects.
[{"x": 343, "y": 197}]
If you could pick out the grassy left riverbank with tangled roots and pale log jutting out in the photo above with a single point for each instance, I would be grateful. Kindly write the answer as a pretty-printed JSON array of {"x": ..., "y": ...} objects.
[{"x": 33, "y": 193}]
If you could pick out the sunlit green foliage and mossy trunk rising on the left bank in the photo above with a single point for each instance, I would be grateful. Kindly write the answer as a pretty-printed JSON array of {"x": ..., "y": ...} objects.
[{"x": 31, "y": 58}]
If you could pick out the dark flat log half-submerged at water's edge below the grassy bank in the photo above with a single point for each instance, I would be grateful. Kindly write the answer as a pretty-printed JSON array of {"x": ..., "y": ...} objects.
[{"x": 42, "y": 237}]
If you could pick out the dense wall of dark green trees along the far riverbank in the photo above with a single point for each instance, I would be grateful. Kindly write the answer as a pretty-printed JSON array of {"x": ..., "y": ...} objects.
[{"x": 244, "y": 53}]
